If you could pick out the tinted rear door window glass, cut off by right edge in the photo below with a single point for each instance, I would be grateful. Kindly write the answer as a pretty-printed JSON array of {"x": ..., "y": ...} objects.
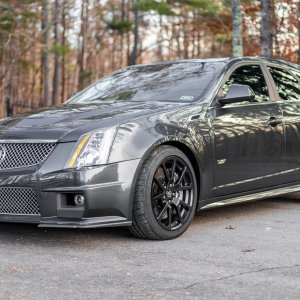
[{"x": 287, "y": 85}]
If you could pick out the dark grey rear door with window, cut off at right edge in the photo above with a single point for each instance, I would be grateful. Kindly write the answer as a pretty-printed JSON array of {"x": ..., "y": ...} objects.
[{"x": 288, "y": 97}]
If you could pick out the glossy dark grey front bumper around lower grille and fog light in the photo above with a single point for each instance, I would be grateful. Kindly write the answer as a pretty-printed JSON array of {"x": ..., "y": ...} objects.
[{"x": 107, "y": 191}]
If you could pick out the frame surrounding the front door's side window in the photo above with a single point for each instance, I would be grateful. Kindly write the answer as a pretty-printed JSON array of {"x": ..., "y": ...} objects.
[{"x": 236, "y": 66}]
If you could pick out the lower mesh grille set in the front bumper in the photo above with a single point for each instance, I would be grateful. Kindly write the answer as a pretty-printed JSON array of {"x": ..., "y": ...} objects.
[{"x": 18, "y": 201}]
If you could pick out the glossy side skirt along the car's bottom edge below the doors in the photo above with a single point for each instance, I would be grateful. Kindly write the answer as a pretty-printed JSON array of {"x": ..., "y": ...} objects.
[{"x": 255, "y": 196}]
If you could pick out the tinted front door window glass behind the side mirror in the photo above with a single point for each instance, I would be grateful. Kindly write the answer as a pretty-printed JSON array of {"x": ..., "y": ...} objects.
[{"x": 252, "y": 76}]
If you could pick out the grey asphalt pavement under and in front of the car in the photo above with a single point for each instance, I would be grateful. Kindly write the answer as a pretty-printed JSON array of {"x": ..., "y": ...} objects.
[{"x": 247, "y": 251}]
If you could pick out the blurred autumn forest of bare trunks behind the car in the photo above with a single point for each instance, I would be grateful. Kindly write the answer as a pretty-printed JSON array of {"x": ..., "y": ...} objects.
[{"x": 50, "y": 49}]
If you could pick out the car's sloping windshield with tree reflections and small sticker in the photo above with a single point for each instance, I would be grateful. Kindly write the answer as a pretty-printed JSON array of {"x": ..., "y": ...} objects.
[{"x": 181, "y": 81}]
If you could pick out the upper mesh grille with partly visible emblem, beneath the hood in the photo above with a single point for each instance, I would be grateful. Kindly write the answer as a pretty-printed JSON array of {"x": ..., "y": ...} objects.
[{"x": 17, "y": 155}]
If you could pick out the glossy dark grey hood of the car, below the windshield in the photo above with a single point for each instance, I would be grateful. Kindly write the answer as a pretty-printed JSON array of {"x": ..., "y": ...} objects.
[{"x": 68, "y": 122}]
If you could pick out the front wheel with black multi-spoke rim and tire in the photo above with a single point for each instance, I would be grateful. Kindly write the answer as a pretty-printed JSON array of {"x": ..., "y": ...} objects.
[{"x": 165, "y": 197}]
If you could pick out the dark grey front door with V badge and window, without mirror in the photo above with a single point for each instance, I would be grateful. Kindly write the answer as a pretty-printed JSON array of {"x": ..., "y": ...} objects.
[{"x": 248, "y": 148}]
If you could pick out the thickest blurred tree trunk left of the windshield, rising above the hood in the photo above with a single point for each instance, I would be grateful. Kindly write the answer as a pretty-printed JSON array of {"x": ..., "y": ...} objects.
[{"x": 45, "y": 54}]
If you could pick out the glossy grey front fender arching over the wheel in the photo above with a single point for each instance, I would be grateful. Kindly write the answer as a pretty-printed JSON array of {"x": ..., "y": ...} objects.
[{"x": 136, "y": 140}]
